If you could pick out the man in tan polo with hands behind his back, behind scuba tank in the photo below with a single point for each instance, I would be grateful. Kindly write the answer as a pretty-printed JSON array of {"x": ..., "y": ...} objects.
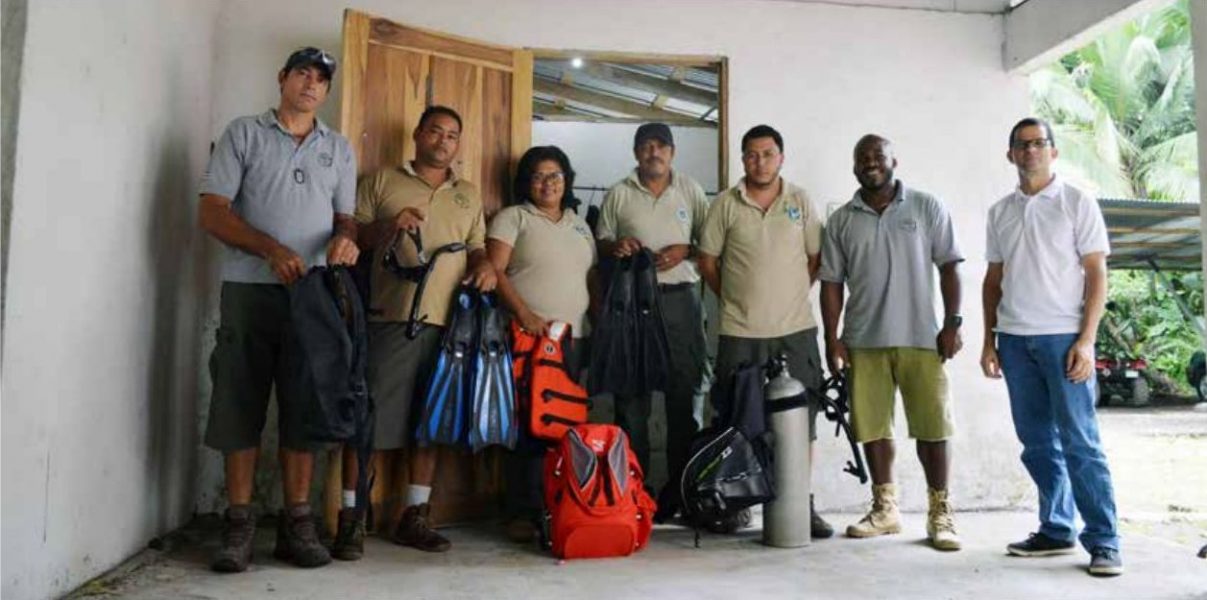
[{"x": 760, "y": 252}]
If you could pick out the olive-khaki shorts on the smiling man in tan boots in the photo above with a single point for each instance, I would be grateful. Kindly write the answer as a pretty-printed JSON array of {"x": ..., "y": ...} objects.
[{"x": 876, "y": 376}]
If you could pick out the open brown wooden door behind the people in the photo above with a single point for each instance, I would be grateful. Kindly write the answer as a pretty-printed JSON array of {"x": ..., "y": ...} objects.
[{"x": 390, "y": 74}]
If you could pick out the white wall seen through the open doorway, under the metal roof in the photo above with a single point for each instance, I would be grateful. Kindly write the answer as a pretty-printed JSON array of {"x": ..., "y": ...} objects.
[{"x": 603, "y": 153}]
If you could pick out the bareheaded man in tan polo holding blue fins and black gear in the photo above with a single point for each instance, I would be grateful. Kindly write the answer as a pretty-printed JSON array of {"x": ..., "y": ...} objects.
[{"x": 422, "y": 195}]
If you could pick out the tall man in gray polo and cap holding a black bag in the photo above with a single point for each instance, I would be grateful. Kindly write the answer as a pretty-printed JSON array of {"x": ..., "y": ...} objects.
[{"x": 279, "y": 194}]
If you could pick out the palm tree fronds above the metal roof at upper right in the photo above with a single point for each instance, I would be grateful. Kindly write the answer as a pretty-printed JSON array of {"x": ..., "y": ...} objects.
[{"x": 1123, "y": 109}]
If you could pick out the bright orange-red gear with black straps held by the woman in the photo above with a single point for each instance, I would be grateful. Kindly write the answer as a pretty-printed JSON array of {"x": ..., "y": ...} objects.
[{"x": 545, "y": 389}]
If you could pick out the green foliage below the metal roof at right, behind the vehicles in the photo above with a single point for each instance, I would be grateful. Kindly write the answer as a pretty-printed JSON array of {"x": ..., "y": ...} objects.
[{"x": 1150, "y": 323}]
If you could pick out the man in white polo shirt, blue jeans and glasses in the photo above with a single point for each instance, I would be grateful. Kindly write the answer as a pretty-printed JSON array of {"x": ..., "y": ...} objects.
[{"x": 1043, "y": 296}]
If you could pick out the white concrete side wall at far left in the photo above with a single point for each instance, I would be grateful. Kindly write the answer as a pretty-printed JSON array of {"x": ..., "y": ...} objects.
[{"x": 102, "y": 329}]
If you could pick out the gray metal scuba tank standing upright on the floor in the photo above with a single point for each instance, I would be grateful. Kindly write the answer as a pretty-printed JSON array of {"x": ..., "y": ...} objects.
[{"x": 786, "y": 520}]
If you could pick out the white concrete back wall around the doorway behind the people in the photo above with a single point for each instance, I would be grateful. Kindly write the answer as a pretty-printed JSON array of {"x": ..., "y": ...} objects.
[{"x": 823, "y": 74}]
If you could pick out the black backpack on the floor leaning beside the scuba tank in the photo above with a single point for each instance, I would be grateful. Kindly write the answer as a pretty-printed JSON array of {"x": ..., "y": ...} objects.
[{"x": 730, "y": 470}]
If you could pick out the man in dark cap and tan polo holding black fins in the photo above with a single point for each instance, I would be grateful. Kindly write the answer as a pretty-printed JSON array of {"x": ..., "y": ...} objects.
[{"x": 662, "y": 209}]
